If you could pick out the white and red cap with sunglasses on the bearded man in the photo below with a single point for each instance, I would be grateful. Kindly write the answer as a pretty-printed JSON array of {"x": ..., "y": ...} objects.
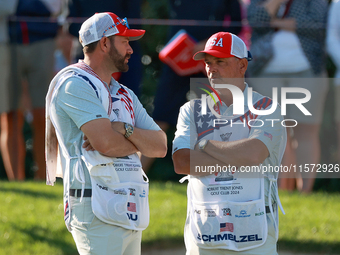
[{"x": 106, "y": 24}]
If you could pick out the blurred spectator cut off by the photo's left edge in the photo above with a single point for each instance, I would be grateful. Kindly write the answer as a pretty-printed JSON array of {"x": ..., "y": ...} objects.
[{"x": 7, "y": 8}]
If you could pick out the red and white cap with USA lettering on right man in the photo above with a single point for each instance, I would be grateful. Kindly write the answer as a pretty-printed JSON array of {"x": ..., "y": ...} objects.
[{"x": 224, "y": 45}]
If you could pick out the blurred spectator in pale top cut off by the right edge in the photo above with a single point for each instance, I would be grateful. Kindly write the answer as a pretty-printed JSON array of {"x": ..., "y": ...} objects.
[{"x": 333, "y": 48}]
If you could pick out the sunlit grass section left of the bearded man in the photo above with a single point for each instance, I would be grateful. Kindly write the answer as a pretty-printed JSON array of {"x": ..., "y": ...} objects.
[{"x": 31, "y": 219}]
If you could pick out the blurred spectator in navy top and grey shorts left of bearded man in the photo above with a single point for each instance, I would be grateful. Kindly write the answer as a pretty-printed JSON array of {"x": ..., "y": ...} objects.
[{"x": 31, "y": 47}]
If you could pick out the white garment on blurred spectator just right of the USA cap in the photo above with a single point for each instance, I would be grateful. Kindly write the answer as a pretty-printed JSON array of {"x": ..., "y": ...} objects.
[{"x": 288, "y": 54}]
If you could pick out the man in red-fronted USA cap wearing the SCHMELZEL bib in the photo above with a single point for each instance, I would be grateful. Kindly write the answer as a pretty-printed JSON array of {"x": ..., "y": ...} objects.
[{"x": 224, "y": 145}]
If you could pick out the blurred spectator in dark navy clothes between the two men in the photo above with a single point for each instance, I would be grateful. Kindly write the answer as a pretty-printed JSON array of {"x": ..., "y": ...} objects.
[{"x": 172, "y": 89}]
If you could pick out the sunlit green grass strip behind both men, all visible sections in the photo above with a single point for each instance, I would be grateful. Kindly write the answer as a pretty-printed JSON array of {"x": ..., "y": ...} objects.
[{"x": 31, "y": 220}]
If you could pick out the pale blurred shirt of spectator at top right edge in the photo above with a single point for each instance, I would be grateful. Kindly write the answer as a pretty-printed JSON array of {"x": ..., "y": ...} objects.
[{"x": 333, "y": 37}]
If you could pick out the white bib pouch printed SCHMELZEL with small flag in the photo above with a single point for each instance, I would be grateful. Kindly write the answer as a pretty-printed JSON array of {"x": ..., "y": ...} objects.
[{"x": 228, "y": 224}]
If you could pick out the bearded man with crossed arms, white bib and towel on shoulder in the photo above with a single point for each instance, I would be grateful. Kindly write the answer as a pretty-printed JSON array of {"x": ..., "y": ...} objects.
[{"x": 100, "y": 126}]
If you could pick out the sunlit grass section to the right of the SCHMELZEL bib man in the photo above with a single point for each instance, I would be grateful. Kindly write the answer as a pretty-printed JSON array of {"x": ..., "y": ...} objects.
[{"x": 311, "y": 223}]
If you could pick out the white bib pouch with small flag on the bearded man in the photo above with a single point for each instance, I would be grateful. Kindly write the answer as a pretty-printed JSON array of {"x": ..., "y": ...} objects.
[{"x": 123, "y": 204}]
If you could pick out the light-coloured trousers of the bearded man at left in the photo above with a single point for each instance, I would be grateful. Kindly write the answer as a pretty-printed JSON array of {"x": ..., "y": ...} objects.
[{"x": 94, "y": 237}]
